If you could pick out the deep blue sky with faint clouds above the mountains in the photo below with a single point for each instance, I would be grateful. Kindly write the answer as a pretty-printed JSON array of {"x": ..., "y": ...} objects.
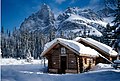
[{"x": 13, "y": 12}]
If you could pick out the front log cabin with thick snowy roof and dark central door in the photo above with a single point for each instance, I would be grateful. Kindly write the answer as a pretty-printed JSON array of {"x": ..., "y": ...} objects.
[{"x": 68, "y": 56}]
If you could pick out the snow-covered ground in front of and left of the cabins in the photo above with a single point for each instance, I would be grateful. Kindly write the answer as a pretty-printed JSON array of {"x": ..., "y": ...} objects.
[{"x": 34, "y": 72}]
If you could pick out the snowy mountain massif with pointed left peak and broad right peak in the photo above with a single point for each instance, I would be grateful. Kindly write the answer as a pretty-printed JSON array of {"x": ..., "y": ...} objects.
[{"x": 73, "y": 21}]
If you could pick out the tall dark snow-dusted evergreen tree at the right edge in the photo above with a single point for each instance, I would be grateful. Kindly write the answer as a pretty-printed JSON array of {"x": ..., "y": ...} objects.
[{"x": 116, "y": 27}]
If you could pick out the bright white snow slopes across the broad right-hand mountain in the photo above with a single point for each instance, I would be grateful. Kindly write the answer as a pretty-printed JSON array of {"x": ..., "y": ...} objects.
[{"x": 85, "y": 23}]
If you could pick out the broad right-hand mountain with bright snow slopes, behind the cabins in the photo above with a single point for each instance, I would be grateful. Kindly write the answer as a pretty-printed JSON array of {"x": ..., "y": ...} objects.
[{"x": 78, "y": 21}]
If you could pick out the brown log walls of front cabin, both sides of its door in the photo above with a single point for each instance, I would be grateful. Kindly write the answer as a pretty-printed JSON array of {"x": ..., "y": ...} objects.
[{"x": 75, "y": 63}]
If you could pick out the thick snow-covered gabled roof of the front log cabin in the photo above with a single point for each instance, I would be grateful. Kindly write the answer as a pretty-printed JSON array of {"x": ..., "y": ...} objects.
[{"x": 78, "y": 48}]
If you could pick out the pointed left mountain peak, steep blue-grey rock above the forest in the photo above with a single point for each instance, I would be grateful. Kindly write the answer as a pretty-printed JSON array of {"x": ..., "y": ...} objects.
[{"x": 40, "y": 21}]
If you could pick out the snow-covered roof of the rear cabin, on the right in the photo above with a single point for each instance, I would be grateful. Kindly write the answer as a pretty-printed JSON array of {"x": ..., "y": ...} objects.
[{"x": 107, "y": 49}]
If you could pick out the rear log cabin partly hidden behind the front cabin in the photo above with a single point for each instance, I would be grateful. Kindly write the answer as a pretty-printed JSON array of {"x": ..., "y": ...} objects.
[{"x": 106, "y": 53}]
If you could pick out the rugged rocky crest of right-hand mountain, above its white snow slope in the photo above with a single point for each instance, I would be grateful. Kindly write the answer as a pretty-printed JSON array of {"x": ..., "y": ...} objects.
[{"x": 87, "y": 13}]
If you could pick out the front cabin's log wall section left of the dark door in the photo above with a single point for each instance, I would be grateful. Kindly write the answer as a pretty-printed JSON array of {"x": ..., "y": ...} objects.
[{"x": 53, "y": 57}]
